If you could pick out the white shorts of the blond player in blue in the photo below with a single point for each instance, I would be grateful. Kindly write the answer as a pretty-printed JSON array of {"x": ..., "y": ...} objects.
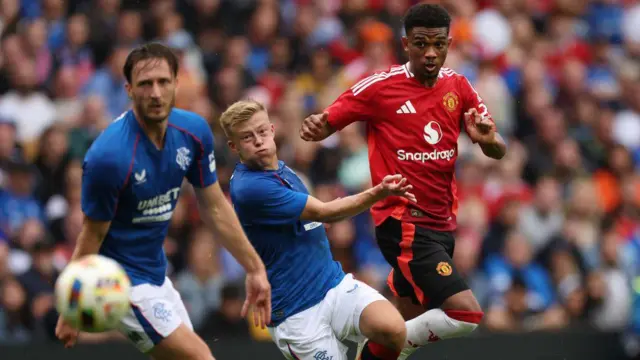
[{"x": 318, "y": 332}]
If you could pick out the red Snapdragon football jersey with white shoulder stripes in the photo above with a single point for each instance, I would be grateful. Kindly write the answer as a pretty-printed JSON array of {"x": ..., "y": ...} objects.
[{"x": 412, "y": 130}]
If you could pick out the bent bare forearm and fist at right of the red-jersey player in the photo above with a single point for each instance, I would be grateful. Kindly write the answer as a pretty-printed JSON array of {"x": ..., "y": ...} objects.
[{"x": 483, "y": 131}]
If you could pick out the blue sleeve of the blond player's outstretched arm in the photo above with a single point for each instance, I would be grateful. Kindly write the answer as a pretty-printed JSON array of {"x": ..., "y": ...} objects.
[{"x": 268, "y": 201}]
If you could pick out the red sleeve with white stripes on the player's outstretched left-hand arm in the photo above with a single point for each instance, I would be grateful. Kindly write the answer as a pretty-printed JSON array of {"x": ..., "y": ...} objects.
[{"x": 355, "y": 104}]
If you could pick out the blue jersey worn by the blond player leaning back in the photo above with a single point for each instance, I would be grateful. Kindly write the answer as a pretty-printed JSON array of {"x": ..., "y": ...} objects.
[{"x": 300, "y": 266}]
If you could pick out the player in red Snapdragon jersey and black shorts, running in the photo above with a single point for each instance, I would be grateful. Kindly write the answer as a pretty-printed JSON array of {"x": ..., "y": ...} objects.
[{"x": 414, "y": 114}]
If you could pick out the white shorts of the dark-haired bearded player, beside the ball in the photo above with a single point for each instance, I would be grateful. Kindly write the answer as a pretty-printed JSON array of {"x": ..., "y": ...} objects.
[{"x": 156, "y": 312}]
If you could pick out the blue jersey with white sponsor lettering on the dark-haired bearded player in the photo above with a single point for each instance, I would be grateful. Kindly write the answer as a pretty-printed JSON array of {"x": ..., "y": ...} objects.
[{"x": 133, "y": 184}]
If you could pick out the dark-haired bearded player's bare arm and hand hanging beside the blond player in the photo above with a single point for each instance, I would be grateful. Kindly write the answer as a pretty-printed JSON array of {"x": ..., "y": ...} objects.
[{"x": 219, "y": 216}]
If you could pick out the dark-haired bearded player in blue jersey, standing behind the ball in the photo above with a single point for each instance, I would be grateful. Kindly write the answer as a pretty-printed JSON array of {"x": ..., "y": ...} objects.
[{"x": 133, "y": 174}]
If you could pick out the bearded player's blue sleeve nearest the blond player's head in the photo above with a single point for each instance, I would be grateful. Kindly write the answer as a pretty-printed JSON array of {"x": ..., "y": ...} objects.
[{"x": 202, "y": 172}]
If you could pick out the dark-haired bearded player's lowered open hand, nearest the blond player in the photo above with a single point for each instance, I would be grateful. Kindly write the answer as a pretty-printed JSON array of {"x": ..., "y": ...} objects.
[{"x": 258, "y": 298}]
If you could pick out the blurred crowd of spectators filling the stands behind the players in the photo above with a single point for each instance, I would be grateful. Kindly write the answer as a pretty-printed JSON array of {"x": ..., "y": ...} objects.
[{"x": 548, "y": 238}]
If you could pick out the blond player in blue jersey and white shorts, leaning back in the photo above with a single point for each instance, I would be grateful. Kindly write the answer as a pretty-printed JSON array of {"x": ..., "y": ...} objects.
[{"x": 316, "y": 306}]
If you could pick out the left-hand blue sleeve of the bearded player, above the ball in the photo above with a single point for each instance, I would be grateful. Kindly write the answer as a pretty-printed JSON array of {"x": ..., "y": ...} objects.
[{"x": 101, "y": 183}]
